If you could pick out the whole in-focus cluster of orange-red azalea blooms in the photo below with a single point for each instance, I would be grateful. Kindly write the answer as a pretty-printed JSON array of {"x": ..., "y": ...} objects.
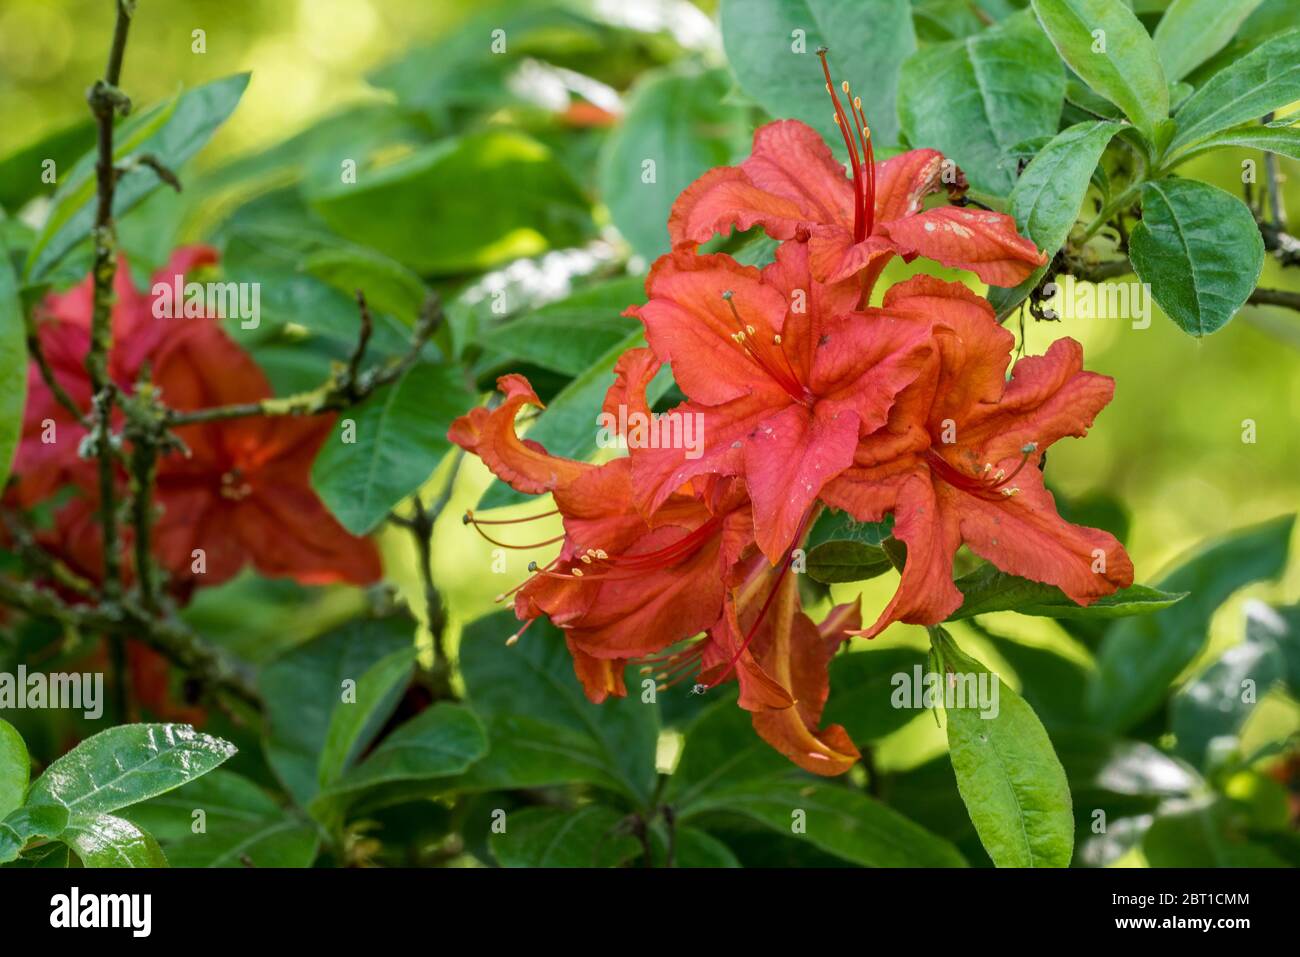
[{"x": 809, "y": 397}]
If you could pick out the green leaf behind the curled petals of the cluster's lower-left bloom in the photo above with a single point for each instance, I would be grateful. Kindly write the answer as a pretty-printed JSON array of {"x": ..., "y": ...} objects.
[{"x": 569, "y": 426}]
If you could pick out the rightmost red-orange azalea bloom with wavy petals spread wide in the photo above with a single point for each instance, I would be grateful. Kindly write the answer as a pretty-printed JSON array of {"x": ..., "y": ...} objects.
[{"x": 960, "y": 461}]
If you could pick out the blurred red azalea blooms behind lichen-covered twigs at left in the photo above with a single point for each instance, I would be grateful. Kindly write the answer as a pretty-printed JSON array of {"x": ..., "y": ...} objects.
[{"x": 239, "y": 491}]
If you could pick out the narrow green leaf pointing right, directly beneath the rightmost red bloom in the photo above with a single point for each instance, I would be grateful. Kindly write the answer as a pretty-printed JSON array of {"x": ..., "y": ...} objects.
[{"x": 989, "y": 590}]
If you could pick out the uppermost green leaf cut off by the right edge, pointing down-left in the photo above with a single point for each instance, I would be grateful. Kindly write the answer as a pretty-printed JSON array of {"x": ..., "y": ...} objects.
[{"x": 1258, "y": 84}]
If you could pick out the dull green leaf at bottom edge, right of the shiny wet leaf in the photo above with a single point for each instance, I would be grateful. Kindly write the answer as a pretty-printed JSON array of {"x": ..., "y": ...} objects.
[{"x": 242, "y": 826}]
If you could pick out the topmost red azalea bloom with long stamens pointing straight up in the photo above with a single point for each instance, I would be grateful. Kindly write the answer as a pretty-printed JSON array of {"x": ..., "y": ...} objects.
[{"x": 792, "y": 185}]
